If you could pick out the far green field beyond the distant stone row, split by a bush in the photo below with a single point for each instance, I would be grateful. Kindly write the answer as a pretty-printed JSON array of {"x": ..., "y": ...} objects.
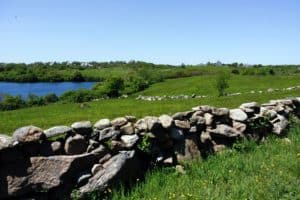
[{"x": 205, "y": 85}]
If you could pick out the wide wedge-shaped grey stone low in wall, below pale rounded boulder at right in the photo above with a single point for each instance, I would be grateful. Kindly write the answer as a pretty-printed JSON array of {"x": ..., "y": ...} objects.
[{"x": 223, "y": 130}]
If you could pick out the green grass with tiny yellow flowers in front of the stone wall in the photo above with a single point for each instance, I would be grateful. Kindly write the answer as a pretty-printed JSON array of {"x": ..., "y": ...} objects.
[{"x": 268, "y": 171}]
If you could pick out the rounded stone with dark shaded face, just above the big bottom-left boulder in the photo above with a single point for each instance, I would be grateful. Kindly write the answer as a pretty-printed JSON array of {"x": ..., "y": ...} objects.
[{"x": 75, "y": 145}]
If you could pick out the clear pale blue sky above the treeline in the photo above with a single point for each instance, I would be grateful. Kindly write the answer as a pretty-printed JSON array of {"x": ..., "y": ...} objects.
[{"x": 159, "y": 31}]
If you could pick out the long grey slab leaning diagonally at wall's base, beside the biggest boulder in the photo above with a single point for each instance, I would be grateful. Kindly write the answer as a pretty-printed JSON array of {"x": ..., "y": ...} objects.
[{"x": 122, "y": 166}]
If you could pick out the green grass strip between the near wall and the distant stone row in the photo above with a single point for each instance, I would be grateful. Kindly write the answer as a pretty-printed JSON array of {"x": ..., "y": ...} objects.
[{"x": 65, "y": 114}]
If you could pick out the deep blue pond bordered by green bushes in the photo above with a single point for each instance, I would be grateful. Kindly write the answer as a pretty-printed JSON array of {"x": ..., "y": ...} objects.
[{"x": 40, "y": 89}]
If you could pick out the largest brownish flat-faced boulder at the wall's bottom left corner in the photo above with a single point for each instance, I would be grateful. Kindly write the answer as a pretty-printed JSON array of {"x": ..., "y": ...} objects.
[{"x": 41, "y": 174}]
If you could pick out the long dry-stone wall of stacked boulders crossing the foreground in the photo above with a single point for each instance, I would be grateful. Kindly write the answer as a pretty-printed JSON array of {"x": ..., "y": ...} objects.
[{"x": 52, "y": 163}]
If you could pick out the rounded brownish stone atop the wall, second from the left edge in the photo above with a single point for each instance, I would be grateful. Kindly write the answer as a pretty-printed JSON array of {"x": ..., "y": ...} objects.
[{"x": 28, "y": 134}]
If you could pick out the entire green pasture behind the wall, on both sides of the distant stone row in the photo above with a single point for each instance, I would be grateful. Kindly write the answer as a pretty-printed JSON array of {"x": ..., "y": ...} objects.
[{"x": 65, "y": 114}]
